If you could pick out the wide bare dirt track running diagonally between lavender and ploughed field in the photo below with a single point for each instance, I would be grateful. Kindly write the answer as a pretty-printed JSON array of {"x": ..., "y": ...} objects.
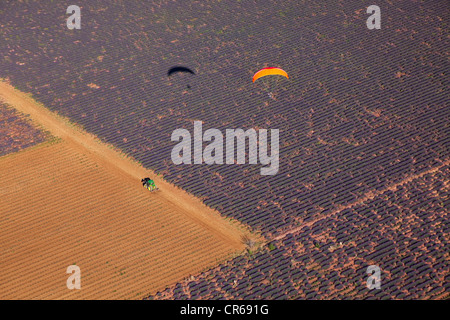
[{"x": 231, "y": 231}]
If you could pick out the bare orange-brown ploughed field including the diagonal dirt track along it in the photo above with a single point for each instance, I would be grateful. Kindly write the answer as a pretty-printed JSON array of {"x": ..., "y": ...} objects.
[{"x": 78, "y": 201}]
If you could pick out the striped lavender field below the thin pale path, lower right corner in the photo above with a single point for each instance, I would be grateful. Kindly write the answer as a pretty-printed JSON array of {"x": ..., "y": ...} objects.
[{"x": 404, "y": 232}]
